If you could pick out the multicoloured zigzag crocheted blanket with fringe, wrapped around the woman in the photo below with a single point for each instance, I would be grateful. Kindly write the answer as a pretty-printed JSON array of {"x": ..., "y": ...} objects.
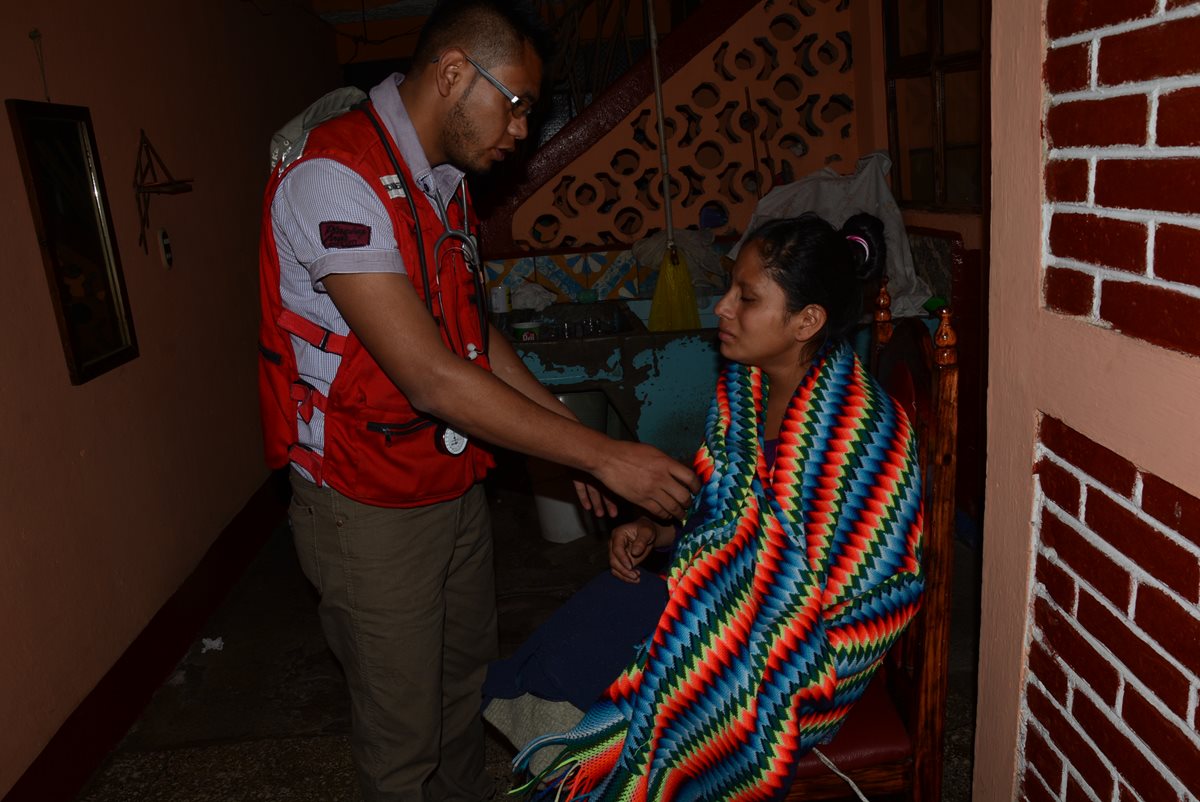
[{"x": 789, "y": 584}]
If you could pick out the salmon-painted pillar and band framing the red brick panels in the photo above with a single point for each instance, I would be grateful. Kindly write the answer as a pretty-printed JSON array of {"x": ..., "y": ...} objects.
[{"x": 1126, "y": 396}]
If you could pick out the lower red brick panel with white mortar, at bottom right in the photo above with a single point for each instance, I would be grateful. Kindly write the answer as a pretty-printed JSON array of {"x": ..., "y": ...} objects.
[{"x": 1114, "y": 662}]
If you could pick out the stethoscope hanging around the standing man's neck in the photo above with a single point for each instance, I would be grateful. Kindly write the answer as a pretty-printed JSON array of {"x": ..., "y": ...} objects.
[{"x": 449, "y": 441}]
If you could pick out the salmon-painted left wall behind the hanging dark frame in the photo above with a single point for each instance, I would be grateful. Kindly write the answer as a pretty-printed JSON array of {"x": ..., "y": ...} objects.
[{"x": 113, "y": 490}]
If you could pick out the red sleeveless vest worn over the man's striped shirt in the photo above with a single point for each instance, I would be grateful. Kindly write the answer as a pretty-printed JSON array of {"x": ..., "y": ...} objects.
[{"x": 379, "y": 450}]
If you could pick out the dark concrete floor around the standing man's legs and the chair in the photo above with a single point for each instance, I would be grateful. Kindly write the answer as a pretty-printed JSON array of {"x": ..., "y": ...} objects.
[{"x": 266, "y": 716}]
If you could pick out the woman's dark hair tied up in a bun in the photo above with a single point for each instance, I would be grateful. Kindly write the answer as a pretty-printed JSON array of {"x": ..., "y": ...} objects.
[{"x": 817, "y": 264}]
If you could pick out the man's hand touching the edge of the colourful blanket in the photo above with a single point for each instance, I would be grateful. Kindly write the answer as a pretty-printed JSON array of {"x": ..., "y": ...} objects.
[{"x": 649, "y": 478}]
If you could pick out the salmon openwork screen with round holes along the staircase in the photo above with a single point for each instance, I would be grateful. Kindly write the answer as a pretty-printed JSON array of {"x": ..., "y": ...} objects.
[{"x": 769, "y": 101}]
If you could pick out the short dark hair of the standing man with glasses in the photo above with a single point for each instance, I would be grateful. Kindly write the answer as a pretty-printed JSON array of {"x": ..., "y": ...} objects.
[{"x": 493, "y": 32}]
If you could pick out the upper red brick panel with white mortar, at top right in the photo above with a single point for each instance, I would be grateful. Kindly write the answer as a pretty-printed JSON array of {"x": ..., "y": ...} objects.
[{"x": 1123, "y": 176}]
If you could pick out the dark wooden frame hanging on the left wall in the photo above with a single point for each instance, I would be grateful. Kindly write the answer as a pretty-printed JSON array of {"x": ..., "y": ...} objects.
[{"x": 57, "y": 148}]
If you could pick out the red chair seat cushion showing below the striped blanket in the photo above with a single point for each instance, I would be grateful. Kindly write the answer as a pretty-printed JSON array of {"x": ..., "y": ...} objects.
[{"x": 873, "y": 734}]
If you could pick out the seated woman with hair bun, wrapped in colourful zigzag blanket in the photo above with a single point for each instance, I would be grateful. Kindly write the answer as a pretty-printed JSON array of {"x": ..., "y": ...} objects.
[{"x": 799, "y": 564}]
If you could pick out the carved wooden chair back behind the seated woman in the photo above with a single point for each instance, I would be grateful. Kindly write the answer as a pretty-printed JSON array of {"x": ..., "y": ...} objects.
[{"x": 920, "y": 369}]
